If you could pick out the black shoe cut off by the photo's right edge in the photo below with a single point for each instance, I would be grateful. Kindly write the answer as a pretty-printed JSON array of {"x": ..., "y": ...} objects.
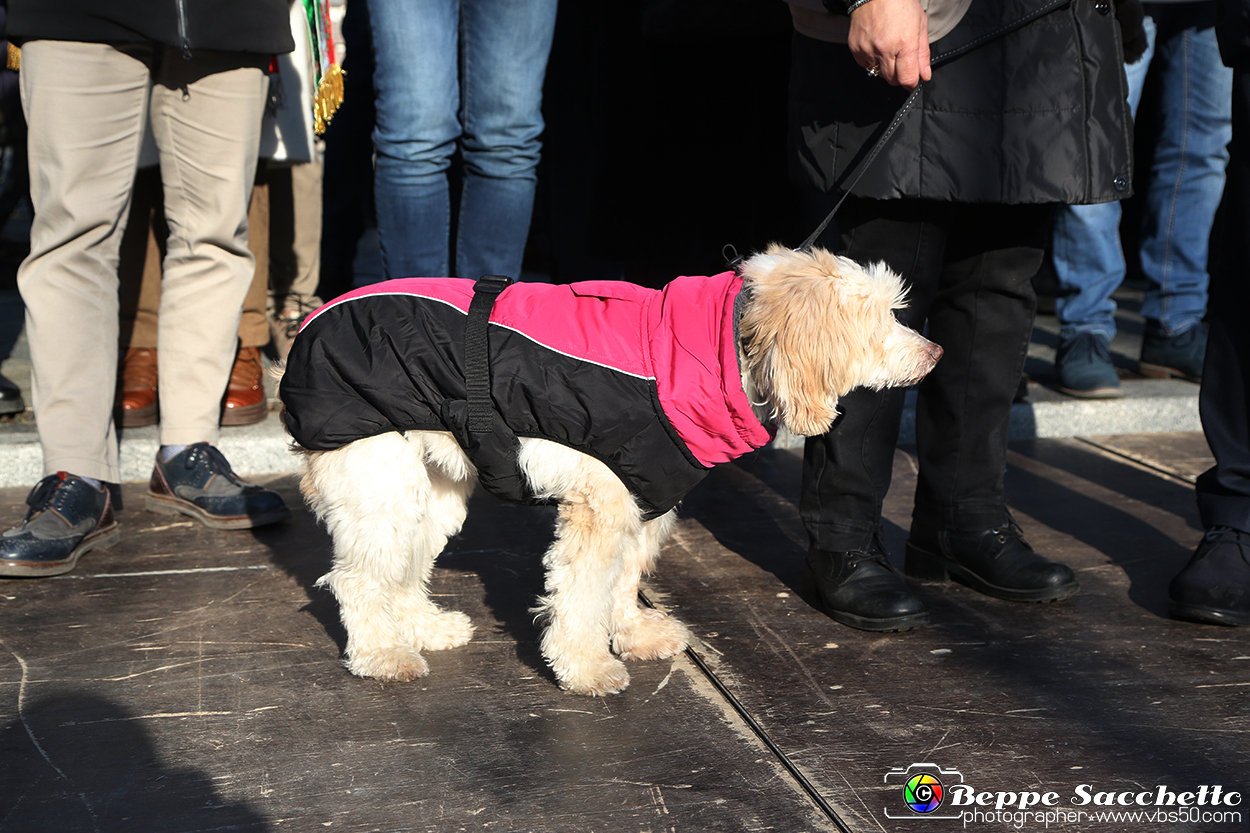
[{"x": 1216, "y": 585}]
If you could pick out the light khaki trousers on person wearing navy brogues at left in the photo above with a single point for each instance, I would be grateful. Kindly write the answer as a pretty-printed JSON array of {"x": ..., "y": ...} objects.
[{"x": 86, "y": 106}]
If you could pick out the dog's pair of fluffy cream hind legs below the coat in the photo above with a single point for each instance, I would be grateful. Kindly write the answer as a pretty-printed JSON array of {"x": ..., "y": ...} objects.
[{"x": 391, "y": 512}]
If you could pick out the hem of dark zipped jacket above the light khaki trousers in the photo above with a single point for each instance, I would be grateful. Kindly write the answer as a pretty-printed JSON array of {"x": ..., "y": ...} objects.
[{"x": 223, "y": 26}]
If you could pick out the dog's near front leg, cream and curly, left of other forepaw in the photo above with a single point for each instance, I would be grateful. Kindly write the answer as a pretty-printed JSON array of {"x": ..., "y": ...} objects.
[{"x": 598, "y": 518}]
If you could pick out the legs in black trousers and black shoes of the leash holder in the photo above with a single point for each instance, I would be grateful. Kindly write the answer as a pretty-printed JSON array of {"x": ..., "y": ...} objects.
[{"x": 969, "y": 272}]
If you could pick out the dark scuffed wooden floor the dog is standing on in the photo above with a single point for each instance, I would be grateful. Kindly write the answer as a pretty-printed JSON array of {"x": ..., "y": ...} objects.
[{"x": 189, "y": 680}]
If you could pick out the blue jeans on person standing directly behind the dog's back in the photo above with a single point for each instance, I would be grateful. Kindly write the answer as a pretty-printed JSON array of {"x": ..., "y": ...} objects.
[{"x": 458, "y": 76}]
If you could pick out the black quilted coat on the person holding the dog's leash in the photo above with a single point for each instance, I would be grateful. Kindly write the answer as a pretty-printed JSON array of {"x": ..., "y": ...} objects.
[{"x": 1039, "y": 116}]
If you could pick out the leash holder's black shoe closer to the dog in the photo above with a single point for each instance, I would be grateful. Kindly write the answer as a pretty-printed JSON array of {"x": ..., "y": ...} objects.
[{"x": 863, "y": 591}]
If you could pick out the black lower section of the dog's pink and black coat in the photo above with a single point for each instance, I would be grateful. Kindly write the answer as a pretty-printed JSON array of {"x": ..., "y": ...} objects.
[{"x": 397, "y": 365}]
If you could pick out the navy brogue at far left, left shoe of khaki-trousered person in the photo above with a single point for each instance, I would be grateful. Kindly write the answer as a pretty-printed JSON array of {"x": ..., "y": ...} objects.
[{"x": 67, "y": 518}]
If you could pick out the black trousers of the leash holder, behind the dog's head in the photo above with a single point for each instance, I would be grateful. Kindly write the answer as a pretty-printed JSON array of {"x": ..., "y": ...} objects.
[{"x": 969, "y": 272}]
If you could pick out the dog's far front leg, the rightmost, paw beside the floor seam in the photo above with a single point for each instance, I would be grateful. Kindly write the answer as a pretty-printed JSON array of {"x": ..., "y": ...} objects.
[{"x": 638, "y": 632}]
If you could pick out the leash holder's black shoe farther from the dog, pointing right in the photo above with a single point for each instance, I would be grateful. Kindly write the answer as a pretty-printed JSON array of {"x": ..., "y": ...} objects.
[{"x": 994, "y": 562}]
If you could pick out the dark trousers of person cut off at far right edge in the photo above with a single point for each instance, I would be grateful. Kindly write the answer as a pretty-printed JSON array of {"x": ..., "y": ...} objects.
[{"x": 1224, "y": 400}]
